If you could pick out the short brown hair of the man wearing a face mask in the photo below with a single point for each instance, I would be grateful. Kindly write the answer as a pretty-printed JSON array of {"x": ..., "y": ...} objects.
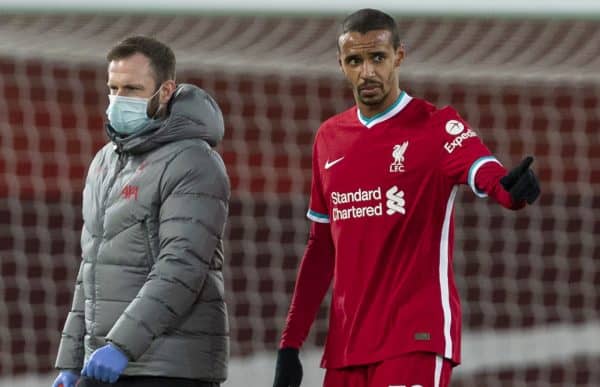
[{"x": 162, "y": 58}]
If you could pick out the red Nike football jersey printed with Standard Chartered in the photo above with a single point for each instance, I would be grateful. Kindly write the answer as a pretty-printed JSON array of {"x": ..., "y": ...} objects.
[{"x": 387, "y": 185}]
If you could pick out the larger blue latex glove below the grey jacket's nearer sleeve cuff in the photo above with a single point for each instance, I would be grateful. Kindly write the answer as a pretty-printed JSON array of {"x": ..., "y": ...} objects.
[{"x": 105, "y": 364}]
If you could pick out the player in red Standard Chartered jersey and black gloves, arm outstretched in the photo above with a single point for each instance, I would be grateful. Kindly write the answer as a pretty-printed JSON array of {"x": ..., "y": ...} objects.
[{"x": 385, "y": 175}]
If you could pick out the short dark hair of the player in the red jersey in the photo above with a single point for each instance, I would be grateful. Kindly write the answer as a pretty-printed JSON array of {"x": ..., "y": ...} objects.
[{"x": 368, "y": 19}]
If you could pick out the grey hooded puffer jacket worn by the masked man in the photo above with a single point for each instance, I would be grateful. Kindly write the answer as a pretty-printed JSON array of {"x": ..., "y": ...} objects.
[{"x": 150, "y": 281}]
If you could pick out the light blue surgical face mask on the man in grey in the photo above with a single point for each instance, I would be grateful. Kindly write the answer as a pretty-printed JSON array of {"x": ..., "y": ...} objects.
[{"x": 127, "y": 115}]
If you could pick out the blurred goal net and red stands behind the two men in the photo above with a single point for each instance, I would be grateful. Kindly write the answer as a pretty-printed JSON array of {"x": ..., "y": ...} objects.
[{"x": 527, "y": 78}]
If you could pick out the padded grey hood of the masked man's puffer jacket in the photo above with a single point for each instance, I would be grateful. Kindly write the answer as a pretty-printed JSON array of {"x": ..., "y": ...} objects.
[{"x": 191, "y": 113}]
